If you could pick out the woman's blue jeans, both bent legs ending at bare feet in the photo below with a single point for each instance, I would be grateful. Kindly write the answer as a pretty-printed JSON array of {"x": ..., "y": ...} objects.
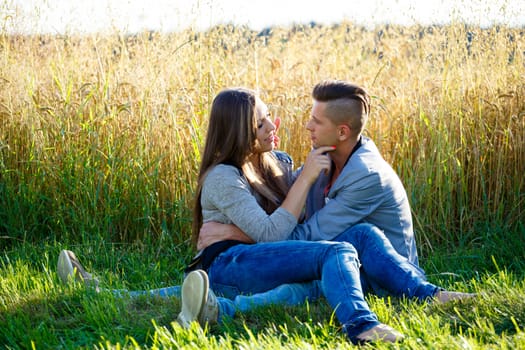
[{"x": 363, "y": 259}]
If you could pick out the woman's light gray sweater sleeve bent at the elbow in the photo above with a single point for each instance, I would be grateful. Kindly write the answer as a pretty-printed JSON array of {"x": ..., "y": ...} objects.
[{"x": 227, "y": 198}]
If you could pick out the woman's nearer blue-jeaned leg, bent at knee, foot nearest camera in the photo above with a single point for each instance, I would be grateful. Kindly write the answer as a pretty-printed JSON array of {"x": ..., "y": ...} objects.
[{"x": 249, "y": 269}]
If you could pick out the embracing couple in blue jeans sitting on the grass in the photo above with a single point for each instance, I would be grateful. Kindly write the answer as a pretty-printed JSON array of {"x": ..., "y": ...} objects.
[{"x": 354, "y": 237}]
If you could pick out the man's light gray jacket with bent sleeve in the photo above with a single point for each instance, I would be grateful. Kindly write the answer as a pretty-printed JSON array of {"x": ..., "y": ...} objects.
[{"x": 367, "y": 190}]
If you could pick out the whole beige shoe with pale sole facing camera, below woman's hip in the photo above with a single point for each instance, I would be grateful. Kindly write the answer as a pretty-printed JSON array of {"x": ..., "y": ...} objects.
[{"x": 199, "y": 303}]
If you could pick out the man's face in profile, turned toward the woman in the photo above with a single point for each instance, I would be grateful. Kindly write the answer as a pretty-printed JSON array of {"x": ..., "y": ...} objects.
[{"x": 323, "y": 131}]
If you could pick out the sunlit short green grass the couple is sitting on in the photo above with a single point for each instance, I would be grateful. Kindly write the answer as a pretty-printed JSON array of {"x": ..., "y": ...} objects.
[{"x": 36, "y": 310}]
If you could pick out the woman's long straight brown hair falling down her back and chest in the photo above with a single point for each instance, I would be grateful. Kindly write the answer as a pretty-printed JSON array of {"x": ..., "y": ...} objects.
[{"x": 231, "y": 139}]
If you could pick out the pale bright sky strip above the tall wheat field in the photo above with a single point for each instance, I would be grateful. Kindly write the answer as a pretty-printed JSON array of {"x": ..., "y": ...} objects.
[{"x": 131, "y": 16}]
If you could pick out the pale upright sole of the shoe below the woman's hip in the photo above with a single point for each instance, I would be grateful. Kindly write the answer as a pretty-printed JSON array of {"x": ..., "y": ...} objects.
[{"x": 194, "y": 294}]
